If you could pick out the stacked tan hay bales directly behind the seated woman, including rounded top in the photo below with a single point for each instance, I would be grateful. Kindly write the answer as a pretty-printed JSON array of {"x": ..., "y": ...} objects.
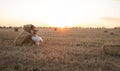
[{"x": 24, "y": 38}]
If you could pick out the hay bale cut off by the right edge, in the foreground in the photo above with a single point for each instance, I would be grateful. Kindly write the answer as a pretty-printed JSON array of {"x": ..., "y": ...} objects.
[{"x": 112, "y": 49}]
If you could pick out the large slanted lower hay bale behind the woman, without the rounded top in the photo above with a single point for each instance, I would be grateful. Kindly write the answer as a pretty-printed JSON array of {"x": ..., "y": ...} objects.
[{"x": 24, "y": 38}]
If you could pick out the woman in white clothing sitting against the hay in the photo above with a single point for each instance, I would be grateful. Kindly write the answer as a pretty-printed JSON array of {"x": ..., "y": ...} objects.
[{"x": 37, "y": 39}]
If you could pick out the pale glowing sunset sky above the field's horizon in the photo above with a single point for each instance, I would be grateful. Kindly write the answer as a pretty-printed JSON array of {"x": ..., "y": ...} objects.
[{"x": 60, "y": 13}]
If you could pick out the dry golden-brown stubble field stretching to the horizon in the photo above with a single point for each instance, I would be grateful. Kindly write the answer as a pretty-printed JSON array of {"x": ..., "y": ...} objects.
[{"x": 70, "y": 50}]
